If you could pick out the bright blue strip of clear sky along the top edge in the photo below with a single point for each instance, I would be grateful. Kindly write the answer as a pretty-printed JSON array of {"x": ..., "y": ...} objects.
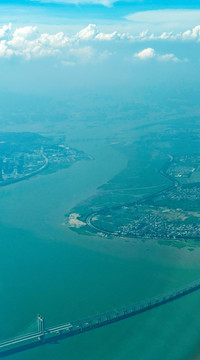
[{"x": 98, "y": 8}]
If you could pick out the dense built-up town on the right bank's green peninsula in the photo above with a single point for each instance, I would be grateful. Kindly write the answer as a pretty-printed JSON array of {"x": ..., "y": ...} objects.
[{"x": 155, "y": 221}]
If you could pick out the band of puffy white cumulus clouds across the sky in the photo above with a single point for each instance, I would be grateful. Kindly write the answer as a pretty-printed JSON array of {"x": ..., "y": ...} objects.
[{"x": 89, "y": 43}]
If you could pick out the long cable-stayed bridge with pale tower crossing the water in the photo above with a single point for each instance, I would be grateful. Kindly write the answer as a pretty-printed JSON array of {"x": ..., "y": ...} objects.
[{"x": 53, "y": 334}]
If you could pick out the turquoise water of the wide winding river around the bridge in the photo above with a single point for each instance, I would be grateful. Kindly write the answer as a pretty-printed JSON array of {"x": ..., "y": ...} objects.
[{"x": 47, "y": 268}]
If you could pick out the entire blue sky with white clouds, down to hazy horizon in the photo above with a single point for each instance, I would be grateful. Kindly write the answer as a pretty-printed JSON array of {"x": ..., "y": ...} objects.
[{"x": 58, "y": 45}]
